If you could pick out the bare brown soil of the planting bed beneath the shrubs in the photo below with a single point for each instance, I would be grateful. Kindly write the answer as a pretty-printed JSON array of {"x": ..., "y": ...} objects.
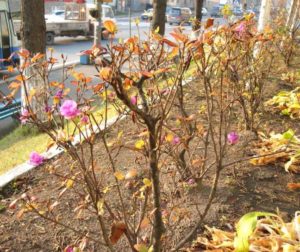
[{"x": 241, "y": 189}]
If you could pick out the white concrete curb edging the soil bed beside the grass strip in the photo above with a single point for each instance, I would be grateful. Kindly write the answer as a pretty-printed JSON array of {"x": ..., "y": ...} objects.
[{"x": 55, "y": 151}]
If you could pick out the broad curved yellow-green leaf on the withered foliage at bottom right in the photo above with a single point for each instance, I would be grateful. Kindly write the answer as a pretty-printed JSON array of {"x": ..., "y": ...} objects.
[{"x": 245, "y": 228}]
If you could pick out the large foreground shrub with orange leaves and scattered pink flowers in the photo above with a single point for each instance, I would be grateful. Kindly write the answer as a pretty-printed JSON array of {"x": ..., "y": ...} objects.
[{"x": 173, "y": 140}]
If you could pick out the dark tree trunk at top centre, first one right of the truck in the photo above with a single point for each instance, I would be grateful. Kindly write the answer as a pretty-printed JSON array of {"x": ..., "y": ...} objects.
[{"x": 159, "y": 15}]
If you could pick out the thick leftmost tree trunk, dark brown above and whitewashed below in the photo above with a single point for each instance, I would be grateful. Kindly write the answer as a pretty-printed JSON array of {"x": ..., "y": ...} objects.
[{"x": 33, "y": 36}]
